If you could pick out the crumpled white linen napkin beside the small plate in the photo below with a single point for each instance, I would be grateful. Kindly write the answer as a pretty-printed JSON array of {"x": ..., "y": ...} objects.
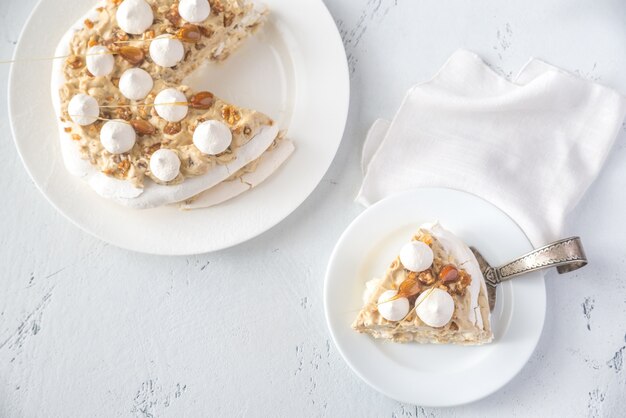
[{"x": 532, "y": 146}]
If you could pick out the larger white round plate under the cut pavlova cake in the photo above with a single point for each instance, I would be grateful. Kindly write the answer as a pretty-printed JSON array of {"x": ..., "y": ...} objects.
[{"x": 294, "y": 69}]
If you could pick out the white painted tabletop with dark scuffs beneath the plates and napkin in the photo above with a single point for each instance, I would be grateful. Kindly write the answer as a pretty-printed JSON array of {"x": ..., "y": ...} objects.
[{"x": 87, "y": 329}]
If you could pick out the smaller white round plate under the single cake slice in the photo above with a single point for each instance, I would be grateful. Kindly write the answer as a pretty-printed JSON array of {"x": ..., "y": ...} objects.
[{"x": 433, "y": 375}]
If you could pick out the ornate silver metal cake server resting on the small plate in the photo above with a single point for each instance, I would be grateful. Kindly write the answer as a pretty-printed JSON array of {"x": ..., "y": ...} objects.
[{"x": 566, "y": 255}]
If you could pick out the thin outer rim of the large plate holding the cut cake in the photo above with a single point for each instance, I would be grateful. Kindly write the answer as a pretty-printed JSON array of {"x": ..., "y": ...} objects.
[{"x": 343, "y": 109}]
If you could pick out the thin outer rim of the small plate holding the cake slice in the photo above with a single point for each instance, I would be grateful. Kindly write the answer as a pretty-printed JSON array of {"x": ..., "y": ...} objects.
[{"x": 333, "y": 259}]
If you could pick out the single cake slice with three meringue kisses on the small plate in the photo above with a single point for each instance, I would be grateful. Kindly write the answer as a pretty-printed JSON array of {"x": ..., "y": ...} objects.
[{"x": 433, "y": 292}]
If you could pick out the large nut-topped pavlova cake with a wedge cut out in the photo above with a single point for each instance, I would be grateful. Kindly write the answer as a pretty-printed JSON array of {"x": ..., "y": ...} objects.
[{"x": 133, "y": 131}]
